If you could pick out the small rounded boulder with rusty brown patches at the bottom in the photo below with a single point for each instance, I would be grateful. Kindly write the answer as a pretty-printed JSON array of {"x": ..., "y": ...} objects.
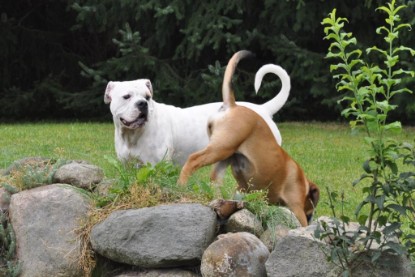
[{"x": 234, "y": 255}]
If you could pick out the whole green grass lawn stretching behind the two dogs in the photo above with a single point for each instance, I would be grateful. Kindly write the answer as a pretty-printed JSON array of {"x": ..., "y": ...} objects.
[{"x": 330, "y": 155}]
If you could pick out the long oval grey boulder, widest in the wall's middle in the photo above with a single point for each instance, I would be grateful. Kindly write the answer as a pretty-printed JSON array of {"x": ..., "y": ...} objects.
[{"x": 156, "y": 237}]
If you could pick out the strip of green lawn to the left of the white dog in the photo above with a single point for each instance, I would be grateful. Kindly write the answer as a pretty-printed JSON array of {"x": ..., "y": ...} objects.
[{"x": 71, "y": 141}]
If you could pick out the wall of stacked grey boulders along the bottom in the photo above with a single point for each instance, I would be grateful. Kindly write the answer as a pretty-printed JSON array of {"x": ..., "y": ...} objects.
[{"x": 182, "y": 239}]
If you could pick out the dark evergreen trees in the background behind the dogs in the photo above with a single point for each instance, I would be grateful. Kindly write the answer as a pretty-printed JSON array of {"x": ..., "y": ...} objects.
[{"x": 57, "y": 56}]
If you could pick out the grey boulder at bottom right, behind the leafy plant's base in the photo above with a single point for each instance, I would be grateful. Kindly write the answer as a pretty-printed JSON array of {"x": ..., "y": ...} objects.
[{"x": 301, "y": 254}]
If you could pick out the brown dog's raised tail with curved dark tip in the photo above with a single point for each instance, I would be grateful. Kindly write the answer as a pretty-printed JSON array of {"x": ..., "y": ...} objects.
[{"x": 227, "y": 90}]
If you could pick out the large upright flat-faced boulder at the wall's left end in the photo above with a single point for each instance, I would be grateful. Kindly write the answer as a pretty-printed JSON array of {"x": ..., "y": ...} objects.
[{"x": 44, "y": 220}]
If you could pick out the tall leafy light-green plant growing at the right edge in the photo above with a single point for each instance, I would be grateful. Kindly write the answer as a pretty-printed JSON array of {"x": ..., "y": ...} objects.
[{"x": 369, "y": 90}]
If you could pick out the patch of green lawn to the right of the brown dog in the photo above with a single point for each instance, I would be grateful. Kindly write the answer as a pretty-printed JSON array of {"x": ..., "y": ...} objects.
[{"x": 332, "y": 157}]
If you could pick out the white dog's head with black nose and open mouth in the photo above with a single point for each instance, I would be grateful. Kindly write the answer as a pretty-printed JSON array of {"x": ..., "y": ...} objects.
[{"x": 130, "y": 102}]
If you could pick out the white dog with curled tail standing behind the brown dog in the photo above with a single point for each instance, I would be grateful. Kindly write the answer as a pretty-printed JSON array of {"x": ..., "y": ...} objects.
[{"x": 150, "y": 132}]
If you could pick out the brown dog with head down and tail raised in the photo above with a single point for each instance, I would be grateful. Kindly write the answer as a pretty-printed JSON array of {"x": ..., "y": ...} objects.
[{"x": 241, "y": 138}]
